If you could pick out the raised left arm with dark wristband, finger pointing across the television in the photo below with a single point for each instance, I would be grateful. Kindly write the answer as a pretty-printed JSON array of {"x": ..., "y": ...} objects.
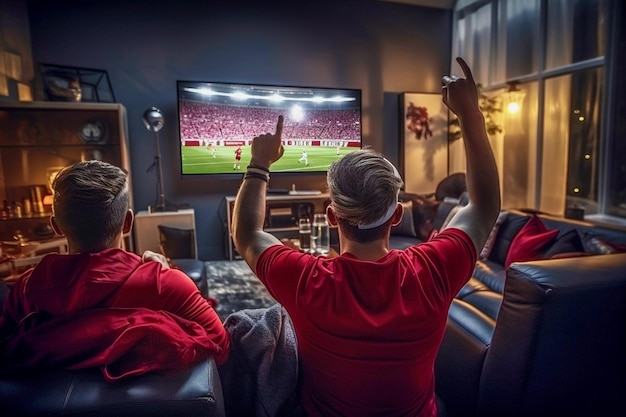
[{"x": 249, "y": 211}]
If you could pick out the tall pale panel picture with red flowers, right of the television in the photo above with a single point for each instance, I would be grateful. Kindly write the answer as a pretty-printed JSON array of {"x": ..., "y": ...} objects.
[{"x": 424, "y": 141}]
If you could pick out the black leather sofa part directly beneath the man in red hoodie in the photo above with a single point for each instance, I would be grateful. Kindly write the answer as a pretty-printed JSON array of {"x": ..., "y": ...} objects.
[{"x": 195, "y": 390}]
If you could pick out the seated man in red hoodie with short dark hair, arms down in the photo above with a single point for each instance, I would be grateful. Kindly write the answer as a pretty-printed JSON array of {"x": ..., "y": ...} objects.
[{"x": 99, "y": 305}]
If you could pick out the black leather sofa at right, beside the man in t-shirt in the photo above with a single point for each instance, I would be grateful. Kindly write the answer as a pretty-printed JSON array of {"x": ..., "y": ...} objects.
[{"x": 540, "y": 338}]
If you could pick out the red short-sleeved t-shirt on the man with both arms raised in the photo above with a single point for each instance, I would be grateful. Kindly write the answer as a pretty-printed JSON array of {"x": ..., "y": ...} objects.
[{"x": 369, "y": 332}]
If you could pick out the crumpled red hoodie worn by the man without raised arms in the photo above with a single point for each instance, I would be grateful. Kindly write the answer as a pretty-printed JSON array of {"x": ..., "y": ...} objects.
[{"x": 107, "y": 309}]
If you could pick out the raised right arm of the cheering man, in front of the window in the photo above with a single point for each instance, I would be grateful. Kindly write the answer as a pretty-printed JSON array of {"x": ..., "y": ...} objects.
[{"x": 479, "y": 216}]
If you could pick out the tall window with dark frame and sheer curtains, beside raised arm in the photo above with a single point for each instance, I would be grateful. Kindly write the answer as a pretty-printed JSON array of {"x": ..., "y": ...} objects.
[{"x": 567, "y": 146}]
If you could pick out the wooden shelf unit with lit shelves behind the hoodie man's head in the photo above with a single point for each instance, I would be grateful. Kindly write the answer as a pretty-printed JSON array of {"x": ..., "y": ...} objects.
[{"x": 37, "y": 139}]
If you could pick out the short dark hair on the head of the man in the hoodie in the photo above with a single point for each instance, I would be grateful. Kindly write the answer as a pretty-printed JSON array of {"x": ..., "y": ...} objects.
[{"x": 91, "y": 199}]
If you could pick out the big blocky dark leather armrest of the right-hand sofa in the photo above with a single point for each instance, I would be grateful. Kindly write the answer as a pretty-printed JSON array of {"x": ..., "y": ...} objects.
[{"x": 559, "y": 342}]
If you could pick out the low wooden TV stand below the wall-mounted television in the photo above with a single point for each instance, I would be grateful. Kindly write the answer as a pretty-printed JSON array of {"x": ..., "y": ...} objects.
[{"x": 281, "y": 215}]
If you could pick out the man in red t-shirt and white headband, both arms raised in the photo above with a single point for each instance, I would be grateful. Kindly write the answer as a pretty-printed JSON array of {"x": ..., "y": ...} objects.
[{"x": 369, "y": 323}]
